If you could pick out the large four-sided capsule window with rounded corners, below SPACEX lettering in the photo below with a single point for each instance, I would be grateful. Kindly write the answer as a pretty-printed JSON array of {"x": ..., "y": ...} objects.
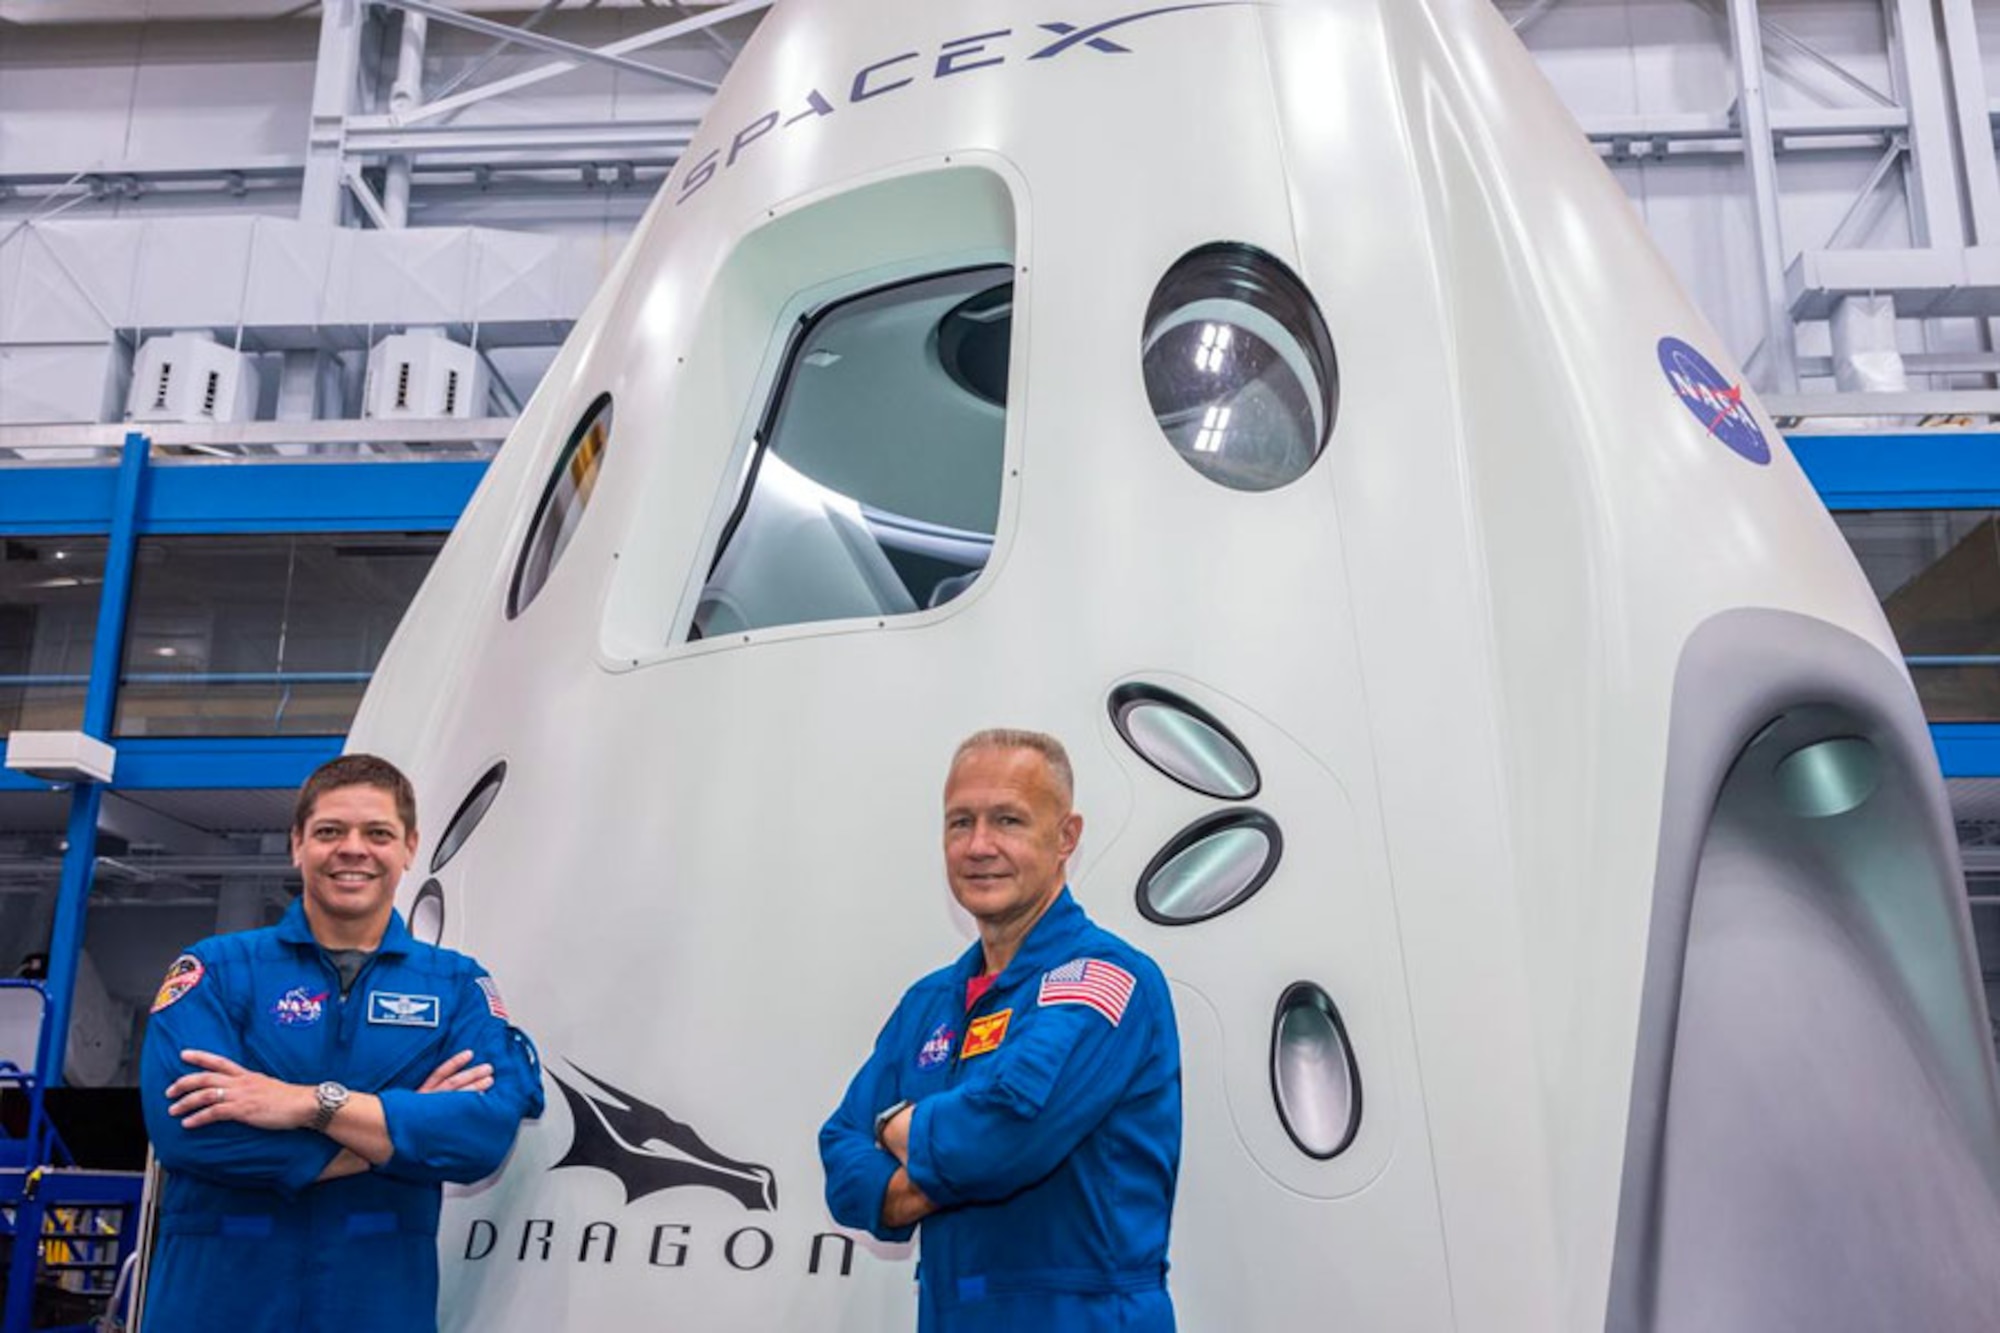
[{"x": 875, "y": 485}]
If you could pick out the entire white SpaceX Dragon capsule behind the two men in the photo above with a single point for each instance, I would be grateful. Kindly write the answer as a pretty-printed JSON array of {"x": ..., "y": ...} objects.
[{"x": 1475, "y": 712}]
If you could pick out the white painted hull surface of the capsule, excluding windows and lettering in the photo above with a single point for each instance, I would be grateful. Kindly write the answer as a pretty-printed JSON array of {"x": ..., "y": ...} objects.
[{"x": 1451, "y": 645}]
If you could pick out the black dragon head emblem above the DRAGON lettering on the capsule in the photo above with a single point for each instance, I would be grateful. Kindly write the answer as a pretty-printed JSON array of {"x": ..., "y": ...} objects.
[{"x": 649, "y": 1150}]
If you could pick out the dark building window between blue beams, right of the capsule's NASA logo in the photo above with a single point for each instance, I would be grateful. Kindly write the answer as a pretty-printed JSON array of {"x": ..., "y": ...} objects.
[{"x": 1939, "y": 577}]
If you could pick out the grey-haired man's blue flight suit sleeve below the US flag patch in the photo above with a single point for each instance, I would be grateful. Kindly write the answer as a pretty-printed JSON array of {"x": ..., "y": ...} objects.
[{"x": 1057, "y": 1082}]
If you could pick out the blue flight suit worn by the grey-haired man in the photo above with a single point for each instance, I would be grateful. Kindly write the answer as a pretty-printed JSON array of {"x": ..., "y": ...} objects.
[{"x": 1051, "y": 1156}]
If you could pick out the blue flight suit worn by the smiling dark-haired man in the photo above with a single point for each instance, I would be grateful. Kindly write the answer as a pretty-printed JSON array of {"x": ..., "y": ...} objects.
[{"x": 249, "y": 1242}]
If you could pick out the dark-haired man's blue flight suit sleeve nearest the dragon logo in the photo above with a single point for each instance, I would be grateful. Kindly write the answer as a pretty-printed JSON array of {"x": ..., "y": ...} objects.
[{"x": 463, "y": 1138}]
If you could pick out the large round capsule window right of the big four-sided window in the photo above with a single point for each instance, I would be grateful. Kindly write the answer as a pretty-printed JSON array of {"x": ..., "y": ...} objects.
[{"x": 1239, "y": 367}]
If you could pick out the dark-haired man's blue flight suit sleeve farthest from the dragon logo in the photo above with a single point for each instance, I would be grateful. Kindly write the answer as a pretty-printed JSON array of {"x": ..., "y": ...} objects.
[{"x": 225, "y": 1152}]
